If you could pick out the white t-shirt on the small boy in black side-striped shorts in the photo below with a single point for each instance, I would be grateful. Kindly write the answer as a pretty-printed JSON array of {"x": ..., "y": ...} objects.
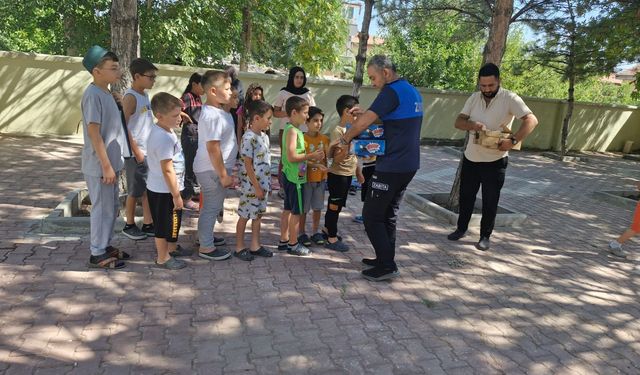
[{"x": 163, "y": 145}]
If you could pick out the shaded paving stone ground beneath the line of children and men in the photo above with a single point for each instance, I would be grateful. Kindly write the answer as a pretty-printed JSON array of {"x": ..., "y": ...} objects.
[{"x": 547, "y": 298}]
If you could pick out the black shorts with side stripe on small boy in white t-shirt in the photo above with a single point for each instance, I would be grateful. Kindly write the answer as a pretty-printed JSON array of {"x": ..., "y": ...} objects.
[{"x": 166, "y": 220}]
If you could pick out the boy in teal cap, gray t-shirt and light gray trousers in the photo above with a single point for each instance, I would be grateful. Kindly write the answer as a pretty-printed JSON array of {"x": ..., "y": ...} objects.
[{"x": 102, "y": 160}]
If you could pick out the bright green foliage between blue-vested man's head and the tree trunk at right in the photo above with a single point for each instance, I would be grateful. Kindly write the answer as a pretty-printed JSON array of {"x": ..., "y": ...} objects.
[{"x": 432, "y": 53}]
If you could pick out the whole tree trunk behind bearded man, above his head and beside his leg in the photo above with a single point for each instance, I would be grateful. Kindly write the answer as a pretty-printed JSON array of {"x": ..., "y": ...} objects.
[{"x": 493, "y": 52}]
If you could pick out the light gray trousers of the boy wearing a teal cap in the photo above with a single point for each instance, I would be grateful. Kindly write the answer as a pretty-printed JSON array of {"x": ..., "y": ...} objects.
[{"x": 105, "y": 206}]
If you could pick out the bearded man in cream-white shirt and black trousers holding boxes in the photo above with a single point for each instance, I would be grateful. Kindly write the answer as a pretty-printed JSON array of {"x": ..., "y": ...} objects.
[{"x": 491, "y": 108}]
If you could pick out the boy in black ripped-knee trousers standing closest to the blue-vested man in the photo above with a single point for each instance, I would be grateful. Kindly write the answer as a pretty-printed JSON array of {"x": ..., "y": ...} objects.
[{"x": 341, "y": 172}]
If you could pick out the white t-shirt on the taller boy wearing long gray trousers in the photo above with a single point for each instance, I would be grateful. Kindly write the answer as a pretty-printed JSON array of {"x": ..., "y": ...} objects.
[{"x": 215, "y": 124}]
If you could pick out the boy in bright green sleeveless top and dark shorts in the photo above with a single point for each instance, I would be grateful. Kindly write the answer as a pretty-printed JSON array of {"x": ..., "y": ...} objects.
[{"x": 294, "y": 170}]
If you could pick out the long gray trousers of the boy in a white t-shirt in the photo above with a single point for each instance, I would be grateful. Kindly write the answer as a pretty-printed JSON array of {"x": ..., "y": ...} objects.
[{"x": 213, "y": 195}]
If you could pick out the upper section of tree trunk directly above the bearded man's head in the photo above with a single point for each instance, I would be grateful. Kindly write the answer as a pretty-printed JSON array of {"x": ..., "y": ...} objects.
[{"x": 498, "y": 32}]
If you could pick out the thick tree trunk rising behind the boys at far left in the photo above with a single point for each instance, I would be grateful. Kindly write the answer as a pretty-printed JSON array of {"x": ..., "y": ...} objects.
[{"x": 125, "y": 38}]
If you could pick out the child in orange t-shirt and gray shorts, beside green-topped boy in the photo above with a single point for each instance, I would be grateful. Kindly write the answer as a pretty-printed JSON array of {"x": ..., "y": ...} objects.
[{"x": 316, "y": 178}]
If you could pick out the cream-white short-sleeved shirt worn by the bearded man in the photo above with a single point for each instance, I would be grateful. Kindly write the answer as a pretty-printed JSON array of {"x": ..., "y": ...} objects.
[{"x": 499, "y": 114}]
